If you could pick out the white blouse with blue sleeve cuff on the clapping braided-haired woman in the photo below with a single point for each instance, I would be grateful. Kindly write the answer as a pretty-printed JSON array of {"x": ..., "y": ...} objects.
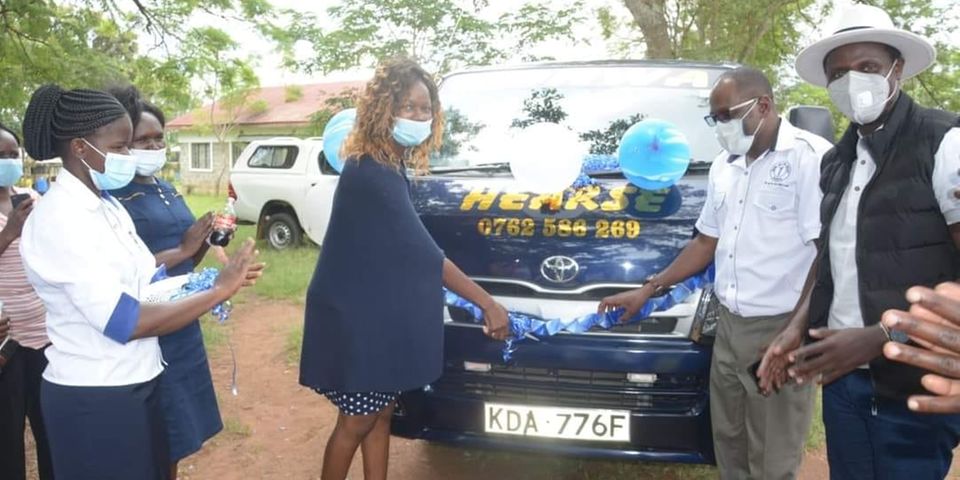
[{"x": 86, "y": 262}]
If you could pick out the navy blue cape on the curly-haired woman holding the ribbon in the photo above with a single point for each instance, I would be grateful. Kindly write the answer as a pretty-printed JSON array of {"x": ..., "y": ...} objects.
[{"x": 374, "y": 309}]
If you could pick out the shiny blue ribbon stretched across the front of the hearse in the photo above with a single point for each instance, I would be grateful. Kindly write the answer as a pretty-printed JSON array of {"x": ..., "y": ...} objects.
[{"x": 524, "y": 325}]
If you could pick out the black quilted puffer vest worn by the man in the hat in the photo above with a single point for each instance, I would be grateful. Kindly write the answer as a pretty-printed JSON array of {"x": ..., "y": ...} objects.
[{"x": 902, "y": 237}]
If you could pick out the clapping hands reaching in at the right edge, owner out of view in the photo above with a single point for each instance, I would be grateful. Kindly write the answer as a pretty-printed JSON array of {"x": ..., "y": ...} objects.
[{"x": 934, "y": 323}]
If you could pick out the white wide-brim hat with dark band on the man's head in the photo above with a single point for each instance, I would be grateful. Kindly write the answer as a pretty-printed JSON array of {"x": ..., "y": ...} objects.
[{"x": 865, "y": 23}]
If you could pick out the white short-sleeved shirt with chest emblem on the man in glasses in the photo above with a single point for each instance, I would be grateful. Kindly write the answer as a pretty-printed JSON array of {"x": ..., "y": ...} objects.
[{"x": 765, "y": 217}]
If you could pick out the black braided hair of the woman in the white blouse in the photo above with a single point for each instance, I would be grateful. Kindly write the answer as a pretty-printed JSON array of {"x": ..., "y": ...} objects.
[{"x": 56, "y": 116}]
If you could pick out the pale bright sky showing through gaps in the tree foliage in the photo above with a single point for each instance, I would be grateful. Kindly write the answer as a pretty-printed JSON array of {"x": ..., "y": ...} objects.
[{"x": 271, "y": 73}]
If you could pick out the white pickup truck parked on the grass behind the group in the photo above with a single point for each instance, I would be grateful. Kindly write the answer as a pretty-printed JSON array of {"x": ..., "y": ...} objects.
[{"x": 285, "y": 187}]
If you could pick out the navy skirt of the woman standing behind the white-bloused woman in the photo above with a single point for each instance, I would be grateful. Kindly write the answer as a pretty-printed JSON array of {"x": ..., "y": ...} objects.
[{"x": 189, "y": 401}]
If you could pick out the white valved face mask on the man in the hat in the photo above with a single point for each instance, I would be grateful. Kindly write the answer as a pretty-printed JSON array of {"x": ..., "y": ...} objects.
[{"x": 861, "y": 97}]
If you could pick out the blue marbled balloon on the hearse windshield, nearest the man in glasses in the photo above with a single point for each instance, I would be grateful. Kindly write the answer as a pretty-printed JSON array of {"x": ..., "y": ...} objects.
[{"x": 654, "y": 154}]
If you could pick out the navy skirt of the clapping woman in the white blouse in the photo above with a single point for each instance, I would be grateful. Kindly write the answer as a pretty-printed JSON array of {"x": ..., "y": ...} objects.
[{"x": 106, "y": 433}]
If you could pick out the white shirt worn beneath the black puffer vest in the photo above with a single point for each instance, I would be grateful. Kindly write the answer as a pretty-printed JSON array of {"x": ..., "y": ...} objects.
[{"x": 845, "y": 310}]
